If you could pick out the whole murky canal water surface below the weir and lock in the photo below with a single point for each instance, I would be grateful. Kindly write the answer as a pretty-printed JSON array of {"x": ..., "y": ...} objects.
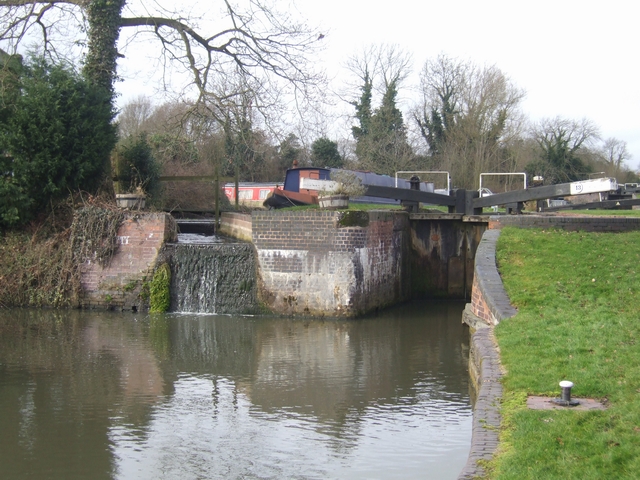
[{"x": 110, "y": 395}]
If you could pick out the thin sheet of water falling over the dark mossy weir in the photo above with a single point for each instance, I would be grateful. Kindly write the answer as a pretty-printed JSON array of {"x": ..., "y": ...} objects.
[{"x": 212, "y": 277}]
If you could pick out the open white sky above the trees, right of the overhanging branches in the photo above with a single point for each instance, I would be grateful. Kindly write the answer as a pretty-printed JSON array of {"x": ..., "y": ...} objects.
[{"x": 575, "y": 59}]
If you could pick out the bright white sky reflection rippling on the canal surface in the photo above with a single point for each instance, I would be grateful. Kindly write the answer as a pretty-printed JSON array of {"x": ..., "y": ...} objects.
[{"x": 210, "y": 429}]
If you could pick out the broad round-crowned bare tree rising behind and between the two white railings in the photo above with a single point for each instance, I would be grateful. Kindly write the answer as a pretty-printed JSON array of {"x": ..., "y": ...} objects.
[{"x": 468, "y": 115}]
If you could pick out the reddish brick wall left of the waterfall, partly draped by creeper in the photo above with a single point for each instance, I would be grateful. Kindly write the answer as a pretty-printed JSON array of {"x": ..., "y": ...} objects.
[{"x": 140, "y": 239}]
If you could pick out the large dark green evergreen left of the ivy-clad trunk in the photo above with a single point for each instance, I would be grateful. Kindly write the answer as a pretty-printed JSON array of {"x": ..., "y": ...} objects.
[{"x": 59, "y": 125}]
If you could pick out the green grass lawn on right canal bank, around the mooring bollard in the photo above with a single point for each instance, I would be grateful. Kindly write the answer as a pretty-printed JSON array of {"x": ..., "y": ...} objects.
[{"x": 578, "y": 319}]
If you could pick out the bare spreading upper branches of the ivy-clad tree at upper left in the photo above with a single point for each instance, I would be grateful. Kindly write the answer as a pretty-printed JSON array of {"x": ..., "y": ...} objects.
[{"x": 257, "y": 43}]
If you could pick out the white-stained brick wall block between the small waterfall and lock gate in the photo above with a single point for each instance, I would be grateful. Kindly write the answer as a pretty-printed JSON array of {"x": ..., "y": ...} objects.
[{"x": 331, "y": 263}]
